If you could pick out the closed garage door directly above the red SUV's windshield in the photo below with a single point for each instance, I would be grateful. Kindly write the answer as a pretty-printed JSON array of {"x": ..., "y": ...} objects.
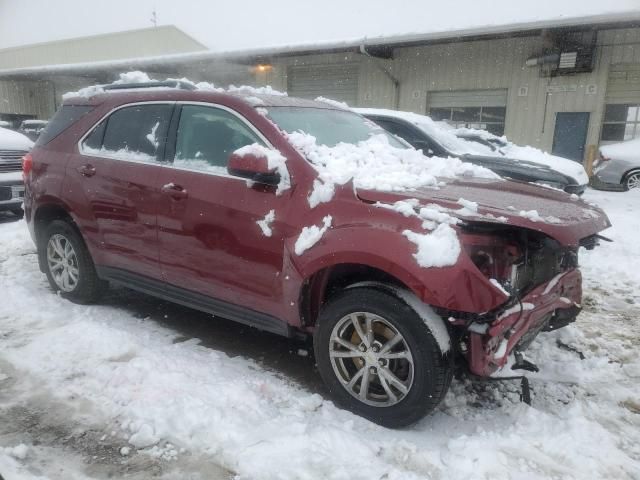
[{"x": 338, "y": 82}]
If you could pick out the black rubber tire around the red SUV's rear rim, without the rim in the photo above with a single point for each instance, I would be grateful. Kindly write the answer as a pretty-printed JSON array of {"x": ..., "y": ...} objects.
[{"x": 88, "y": 287}]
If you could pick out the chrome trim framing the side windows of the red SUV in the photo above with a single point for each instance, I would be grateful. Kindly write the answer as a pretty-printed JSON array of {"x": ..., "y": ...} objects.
[{"x": 240, "y": 117}]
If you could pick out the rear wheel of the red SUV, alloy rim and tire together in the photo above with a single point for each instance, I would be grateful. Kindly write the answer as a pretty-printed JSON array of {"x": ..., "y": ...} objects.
[{"x": 68, "y": 264}]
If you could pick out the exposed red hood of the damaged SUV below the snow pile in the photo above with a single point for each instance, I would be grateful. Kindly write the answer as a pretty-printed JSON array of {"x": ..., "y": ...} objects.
[{"x": 562, "y": 217}]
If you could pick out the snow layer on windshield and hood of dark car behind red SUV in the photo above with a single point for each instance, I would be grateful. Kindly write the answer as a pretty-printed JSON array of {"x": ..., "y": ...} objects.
[{"x": 449, "y": 138}]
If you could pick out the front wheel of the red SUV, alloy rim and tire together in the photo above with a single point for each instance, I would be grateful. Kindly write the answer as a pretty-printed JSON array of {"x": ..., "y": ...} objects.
[{"x": 379, "y": 358}]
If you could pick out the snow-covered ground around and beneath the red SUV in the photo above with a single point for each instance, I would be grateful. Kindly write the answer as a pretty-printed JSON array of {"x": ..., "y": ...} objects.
[{"x": 118, "y": 389}]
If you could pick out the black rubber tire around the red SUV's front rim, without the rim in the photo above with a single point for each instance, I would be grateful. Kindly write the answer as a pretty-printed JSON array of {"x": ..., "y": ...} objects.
[{"x": 432, "y": 370}]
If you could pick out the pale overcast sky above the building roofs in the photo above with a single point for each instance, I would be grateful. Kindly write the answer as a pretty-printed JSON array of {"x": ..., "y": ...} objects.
[{"x": 236, "y": 25}]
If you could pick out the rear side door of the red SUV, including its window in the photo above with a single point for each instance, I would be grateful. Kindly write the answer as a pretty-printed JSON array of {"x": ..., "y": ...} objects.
[{"x": 115, "y": 180}]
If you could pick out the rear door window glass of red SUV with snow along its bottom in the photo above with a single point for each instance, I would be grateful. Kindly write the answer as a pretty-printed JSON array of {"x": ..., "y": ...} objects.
[{"x": 132, "y": 133}]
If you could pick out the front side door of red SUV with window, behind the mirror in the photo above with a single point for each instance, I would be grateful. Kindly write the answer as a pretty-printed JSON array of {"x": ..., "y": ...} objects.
[{"x": 209, "y": 236}]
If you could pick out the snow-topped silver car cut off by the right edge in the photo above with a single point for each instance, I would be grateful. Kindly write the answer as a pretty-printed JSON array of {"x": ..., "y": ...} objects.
[{"x": 618, "y": 166}]
